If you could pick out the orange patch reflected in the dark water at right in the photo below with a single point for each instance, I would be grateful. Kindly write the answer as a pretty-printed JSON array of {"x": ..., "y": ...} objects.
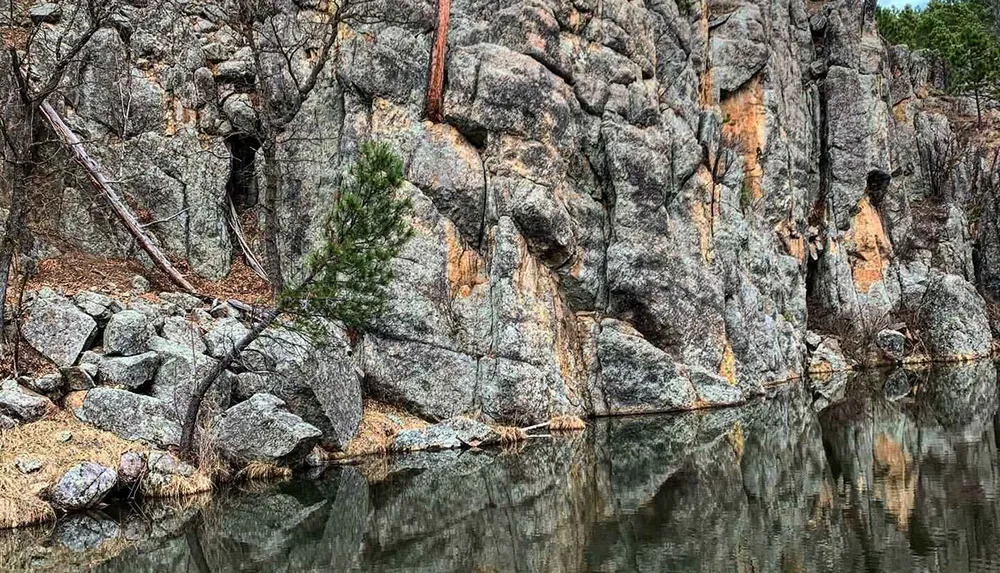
[{"x": 895, "y": 479}]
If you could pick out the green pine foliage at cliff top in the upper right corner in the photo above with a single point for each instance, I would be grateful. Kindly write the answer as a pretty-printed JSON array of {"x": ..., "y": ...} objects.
[{"x": 965, "y": 33}]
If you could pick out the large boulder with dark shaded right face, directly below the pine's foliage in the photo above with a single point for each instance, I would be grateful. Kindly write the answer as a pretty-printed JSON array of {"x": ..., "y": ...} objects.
[{"x": 318, "y": 381}]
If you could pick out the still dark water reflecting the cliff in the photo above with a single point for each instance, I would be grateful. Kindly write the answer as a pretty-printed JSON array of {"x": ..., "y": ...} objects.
[{"x": 883, "y": 475}]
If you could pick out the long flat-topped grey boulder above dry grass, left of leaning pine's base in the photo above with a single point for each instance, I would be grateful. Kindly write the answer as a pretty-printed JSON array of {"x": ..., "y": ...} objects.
[{"x": 130, "y": 416}]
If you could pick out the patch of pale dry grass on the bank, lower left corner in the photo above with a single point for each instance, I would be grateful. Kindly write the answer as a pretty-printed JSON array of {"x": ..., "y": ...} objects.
[{"x": 19, "y": 501}]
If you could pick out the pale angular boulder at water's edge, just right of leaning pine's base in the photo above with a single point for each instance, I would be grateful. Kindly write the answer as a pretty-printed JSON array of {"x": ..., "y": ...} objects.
[{"x": 260, "y": 429}]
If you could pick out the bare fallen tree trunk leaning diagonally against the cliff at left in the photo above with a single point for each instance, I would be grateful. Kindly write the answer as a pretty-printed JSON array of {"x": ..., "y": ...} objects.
[{"x": 121, "y": 210}]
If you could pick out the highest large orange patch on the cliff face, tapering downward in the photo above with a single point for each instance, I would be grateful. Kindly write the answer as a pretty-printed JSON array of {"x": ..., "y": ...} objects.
[{"x": 744, "y": 127}]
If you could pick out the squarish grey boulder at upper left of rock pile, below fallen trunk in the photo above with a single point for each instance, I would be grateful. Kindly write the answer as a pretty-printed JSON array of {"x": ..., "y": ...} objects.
[{"x": 58, "y": 329}]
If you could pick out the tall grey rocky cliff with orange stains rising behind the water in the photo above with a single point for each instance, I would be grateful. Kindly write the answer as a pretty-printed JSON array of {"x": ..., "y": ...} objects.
[{"x": 630, "y": 205}]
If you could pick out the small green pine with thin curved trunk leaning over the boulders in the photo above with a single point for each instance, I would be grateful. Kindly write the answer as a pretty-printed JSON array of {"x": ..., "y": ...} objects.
[{"x": 347, "y": 274}]
